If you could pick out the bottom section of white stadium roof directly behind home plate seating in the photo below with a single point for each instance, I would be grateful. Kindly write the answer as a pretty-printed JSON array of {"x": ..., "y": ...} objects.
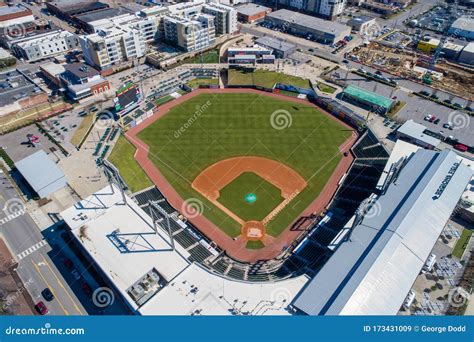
[{"x": 197, "y": 291}]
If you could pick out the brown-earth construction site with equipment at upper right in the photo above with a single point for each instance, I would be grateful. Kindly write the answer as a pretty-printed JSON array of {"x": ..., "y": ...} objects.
[{"x": 418, "y": 66}]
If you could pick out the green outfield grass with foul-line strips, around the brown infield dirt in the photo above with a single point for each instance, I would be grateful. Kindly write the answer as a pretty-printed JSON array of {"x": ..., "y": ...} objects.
[{"x": 239, "y": 124}]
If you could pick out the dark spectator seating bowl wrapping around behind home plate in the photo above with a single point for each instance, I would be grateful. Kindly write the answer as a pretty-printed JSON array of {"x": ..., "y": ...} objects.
[{"x": 310, "y": 252}]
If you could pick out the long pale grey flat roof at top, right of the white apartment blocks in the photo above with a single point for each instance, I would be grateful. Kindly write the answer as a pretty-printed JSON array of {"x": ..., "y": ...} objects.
[{"x": 310, "y": 22}]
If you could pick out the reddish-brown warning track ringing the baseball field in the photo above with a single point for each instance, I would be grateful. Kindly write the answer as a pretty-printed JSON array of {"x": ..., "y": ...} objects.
[{"x": 236, "y": 248}]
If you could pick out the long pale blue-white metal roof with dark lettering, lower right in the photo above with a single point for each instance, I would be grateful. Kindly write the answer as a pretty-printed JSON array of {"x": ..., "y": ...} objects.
[{"x": 372, "y": 272}]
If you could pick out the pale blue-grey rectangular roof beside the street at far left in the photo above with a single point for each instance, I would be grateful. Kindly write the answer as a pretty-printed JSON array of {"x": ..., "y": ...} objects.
[{"x": 41, "y": 173}]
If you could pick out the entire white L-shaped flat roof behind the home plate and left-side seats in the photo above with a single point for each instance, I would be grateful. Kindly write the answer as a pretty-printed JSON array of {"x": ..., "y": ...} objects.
[{"x": 121, "y": 240}]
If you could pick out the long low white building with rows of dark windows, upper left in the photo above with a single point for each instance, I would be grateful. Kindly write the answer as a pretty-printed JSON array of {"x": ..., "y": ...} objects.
[{"x": 46, "y": 45}]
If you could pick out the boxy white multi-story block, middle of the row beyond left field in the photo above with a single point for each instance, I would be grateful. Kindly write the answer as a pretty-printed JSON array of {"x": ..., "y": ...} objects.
[{"x": 190, "y": 34}]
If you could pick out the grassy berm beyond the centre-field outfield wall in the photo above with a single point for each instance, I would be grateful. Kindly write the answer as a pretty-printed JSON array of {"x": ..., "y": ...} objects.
[{"x": 264, "y": 78}]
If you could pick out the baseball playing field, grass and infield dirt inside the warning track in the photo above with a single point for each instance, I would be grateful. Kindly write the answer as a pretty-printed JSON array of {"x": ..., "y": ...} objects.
[{"x": 246, "y": 157}]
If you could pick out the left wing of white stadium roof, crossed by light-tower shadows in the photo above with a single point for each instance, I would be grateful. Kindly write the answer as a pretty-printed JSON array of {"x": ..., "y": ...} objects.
[{"x": 121, "y": 240}]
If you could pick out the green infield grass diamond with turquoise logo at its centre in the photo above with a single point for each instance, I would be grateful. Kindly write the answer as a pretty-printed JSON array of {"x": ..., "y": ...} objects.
[{"x": 238, "y": 196}]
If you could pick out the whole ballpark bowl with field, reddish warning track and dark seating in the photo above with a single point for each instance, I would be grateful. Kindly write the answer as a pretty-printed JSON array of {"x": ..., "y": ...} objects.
[{"x": 252, "y": 173}]
